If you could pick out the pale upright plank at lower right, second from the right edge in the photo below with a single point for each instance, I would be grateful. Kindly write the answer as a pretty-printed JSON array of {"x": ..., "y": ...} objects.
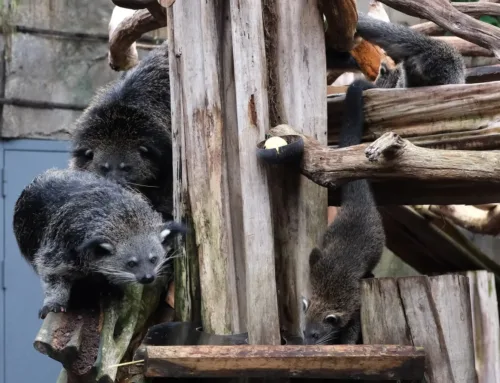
[{"x": 453, "y": 305}]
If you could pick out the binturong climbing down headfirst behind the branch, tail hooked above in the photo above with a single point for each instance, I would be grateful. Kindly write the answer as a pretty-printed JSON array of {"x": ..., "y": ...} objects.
[{"x": 350, "y": 248}]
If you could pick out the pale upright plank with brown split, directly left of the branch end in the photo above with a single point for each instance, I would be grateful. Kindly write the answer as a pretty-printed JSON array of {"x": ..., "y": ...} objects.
[{"x": 250, "y": 71}]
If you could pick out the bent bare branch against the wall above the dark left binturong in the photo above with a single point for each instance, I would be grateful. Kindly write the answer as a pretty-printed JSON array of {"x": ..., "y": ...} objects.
[{"x": 125, "y": 28}]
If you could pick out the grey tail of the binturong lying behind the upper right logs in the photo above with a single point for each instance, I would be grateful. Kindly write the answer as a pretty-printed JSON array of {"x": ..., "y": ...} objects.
[{"x": 397, "y": 40}]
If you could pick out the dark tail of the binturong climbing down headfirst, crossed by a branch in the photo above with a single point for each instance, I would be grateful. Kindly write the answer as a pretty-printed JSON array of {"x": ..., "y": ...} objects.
[{"x": 355, "y": 193}]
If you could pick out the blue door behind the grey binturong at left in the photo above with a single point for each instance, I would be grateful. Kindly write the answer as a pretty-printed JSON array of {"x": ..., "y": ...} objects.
[{"x": 21, "y": 297}]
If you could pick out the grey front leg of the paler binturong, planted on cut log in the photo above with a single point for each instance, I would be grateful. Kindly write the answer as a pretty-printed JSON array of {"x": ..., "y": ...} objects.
[{"x": 57, "y": 292}]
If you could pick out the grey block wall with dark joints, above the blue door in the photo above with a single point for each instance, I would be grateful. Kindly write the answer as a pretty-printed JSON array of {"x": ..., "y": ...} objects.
[{"x": 39, "y": 66}]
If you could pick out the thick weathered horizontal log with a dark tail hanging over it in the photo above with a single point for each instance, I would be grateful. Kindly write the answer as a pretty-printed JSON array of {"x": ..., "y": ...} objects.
[{"x": 447, "y": 116}]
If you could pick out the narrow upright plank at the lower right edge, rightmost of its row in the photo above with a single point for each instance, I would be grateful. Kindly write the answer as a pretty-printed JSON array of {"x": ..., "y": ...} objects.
[{"x": 486, "y": 327}]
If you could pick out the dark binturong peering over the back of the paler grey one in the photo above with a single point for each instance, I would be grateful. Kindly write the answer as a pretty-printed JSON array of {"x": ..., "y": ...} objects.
[{"x": 125, "y": 133}]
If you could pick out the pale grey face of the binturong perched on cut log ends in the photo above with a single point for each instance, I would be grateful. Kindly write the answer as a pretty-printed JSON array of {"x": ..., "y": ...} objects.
[{"x": 138, "y": 259}]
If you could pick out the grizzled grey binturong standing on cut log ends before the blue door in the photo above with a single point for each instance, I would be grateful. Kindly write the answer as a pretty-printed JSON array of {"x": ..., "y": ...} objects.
[{"x": 72, "y": 224}]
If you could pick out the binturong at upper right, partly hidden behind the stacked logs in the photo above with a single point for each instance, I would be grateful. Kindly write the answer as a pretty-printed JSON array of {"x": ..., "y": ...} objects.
[{"x": 421, "y": 60}]
